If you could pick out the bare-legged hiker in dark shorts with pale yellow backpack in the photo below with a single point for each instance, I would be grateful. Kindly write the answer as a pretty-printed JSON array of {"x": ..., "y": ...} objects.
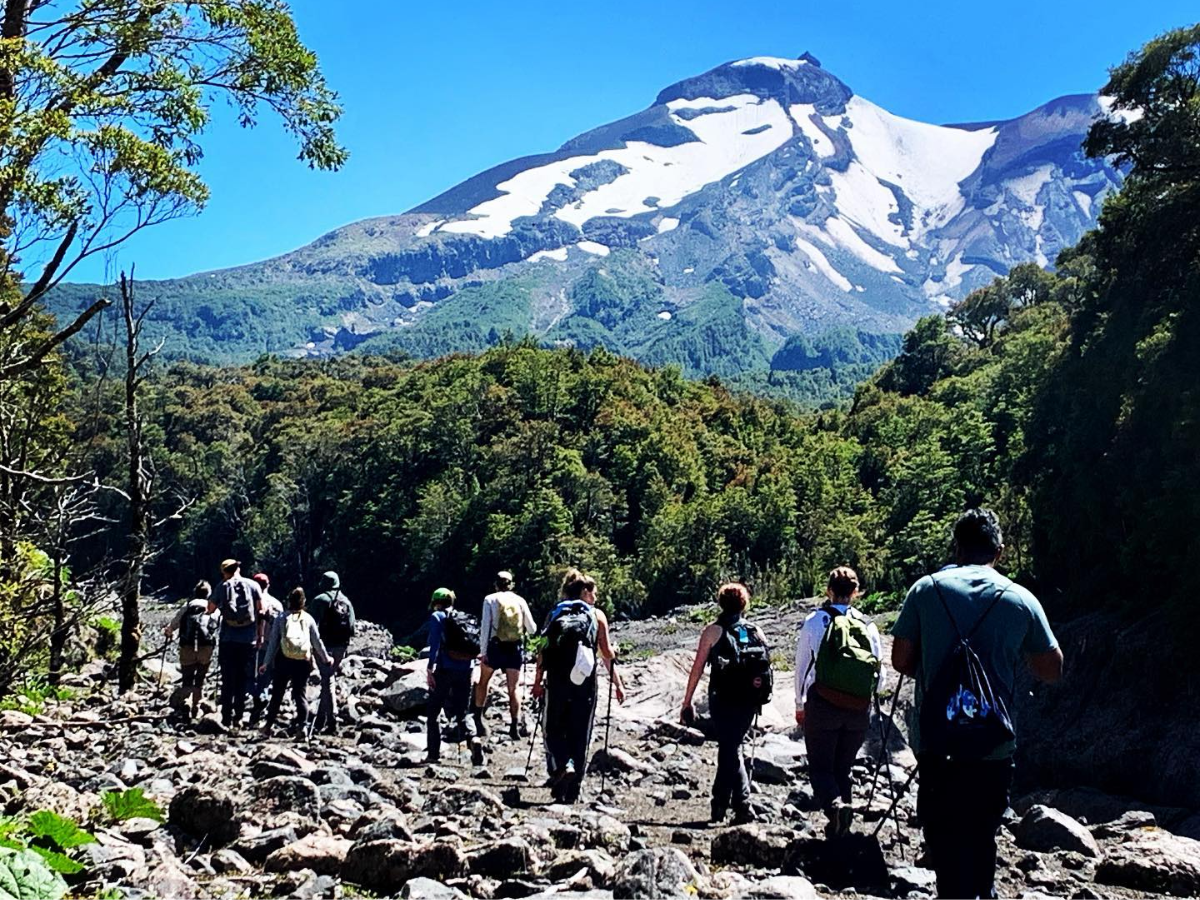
[{"x": 502, "y": 632}]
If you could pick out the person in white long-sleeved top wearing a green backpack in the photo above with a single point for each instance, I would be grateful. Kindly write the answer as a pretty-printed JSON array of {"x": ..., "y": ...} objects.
[{"x": 838, "y": 663}]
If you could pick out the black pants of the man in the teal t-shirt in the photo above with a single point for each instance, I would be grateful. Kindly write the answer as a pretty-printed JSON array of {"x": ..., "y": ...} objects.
[{"x": 961, "y": 807}]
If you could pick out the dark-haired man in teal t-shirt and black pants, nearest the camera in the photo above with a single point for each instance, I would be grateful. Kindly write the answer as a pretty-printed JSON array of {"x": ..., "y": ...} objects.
[{"x": 961, "y": 803}]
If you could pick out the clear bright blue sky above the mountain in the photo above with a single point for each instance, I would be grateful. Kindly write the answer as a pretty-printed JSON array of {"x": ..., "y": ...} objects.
[{"x": 436, "y": 93}]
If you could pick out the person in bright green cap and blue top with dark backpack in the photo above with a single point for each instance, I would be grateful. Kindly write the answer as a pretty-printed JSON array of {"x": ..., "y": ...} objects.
[{"x": 454, "y": 646}]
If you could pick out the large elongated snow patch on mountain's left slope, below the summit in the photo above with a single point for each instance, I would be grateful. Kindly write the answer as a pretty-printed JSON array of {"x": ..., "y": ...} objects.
[{"x": 669, "y": 173}]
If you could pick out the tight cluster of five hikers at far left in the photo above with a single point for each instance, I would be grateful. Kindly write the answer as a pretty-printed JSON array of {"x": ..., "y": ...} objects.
[{"x": 263, "y": 650}]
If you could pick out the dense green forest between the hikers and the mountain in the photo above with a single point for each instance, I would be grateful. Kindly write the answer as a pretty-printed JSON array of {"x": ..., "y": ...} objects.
[{"x": 1070, "y": 401}]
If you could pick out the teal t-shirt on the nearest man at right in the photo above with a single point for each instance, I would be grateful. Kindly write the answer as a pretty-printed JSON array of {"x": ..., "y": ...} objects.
[{"x": 1015, "y": 629}]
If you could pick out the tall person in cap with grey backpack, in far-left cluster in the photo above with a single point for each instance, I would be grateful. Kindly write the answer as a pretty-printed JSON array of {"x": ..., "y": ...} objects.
[{"x": 241, "y": 602}]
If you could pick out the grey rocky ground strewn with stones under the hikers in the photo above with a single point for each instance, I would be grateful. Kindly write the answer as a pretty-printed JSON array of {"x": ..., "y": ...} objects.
[{"x": 358, "y": 815}]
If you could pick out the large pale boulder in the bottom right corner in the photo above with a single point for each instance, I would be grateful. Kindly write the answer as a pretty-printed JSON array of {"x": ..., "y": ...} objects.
[{"x": 1154, "y": 860}]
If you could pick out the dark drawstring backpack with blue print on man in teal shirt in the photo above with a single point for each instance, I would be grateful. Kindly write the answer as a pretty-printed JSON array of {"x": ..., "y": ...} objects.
[{"x": 962, "y": 717}]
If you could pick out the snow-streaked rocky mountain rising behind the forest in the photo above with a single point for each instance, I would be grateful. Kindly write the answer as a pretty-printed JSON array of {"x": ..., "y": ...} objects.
[{"x": 752, "y": 205}]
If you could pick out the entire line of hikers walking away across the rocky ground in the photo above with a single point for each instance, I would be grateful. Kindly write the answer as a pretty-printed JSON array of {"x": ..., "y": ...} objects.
[{"x": 962, "y": 635}]
